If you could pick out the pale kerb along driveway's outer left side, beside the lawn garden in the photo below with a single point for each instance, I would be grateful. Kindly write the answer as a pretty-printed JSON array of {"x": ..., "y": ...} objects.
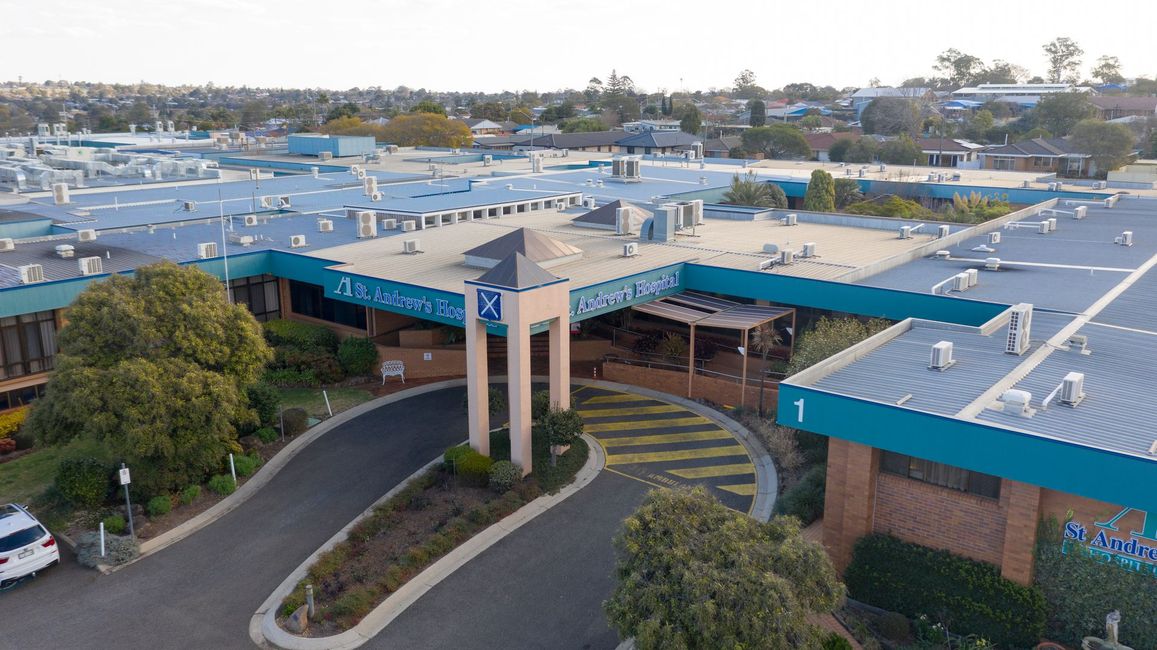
[{"x": 271, "y": 469}]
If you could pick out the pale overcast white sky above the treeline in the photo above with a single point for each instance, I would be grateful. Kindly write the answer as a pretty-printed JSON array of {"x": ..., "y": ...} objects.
[{"x": 547, "y": 45}]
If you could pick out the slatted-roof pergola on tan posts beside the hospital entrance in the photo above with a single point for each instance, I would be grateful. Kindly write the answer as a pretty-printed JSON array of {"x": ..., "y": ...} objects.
[{"x": 701, "y": 311}]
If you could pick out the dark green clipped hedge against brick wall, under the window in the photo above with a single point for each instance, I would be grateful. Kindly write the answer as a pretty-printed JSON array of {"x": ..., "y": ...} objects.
[{"x": 969, "y": 597}]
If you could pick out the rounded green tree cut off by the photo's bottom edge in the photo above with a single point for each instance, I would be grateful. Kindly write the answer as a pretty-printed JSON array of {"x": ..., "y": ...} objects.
[{"x": 696, "y": 575}]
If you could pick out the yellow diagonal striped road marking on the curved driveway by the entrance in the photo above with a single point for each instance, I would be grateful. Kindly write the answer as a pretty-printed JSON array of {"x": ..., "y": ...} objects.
[{"x": 668, "y": 446}]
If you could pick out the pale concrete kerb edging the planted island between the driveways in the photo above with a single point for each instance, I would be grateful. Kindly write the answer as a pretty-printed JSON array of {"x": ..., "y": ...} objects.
[{"x": 264, "y": 630}]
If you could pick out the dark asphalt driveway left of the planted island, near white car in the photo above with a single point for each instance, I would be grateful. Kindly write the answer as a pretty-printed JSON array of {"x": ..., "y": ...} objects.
[{"x": 202, "y": 592}]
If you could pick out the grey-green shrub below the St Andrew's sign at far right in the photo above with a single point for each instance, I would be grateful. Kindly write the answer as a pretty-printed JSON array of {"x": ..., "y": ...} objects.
[{"x": 1081, "y": 590}]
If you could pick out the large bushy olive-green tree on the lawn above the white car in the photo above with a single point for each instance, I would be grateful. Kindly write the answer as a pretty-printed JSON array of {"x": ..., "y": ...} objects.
[{"x": 156, "y": 367}]
